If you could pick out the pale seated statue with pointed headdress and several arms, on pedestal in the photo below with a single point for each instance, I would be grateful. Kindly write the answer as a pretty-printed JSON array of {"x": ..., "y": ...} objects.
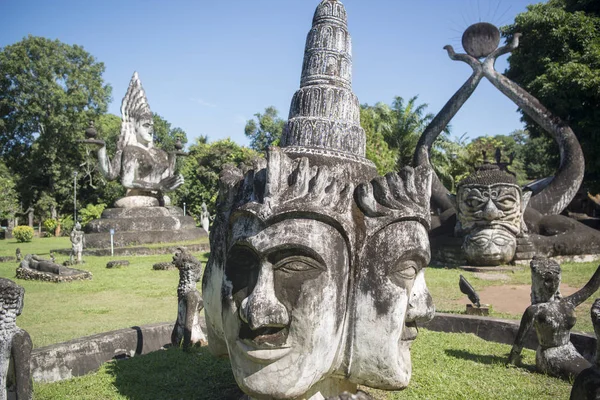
[{"x": 146, "y": 172}]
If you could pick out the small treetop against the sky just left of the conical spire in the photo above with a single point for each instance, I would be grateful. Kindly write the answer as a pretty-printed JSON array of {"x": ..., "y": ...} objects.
[{"x": 265, "y": 129}]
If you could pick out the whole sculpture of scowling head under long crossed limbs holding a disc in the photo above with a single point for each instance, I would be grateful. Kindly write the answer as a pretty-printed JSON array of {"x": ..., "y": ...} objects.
[{"x": 489, "y": 204}]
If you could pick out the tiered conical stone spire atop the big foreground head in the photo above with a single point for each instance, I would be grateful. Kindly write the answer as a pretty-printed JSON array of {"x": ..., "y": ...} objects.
[{"x": 325, "y": 114}]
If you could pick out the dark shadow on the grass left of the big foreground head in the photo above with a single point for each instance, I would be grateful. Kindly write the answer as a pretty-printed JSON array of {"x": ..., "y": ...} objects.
[{"x": 174, "y": 374}]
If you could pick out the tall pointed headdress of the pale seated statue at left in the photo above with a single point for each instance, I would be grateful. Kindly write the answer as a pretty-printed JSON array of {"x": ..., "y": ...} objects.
[{"x": 134, "y": 107}]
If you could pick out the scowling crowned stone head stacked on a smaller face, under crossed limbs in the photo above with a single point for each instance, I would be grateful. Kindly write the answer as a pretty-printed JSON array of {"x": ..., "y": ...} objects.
[{"x": 490, "y": 207}]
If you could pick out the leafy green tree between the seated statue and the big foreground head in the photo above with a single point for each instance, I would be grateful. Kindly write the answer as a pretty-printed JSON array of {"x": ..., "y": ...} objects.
[{"x": 201, "y": 171}]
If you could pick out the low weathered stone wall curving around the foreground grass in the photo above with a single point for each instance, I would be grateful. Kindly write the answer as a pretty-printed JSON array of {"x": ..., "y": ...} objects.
[{"x": 84, "y": 355}]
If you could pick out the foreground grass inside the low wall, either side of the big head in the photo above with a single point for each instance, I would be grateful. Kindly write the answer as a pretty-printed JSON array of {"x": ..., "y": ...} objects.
[{"x": 445, "y": 366}]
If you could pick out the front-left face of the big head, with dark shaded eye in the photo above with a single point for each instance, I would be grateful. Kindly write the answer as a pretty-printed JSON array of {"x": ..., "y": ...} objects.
[{"x": 284, "y": 311}]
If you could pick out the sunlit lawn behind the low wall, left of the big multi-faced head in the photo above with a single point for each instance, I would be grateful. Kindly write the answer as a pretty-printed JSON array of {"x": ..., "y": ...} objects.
[{"x": 113, "y": 299}]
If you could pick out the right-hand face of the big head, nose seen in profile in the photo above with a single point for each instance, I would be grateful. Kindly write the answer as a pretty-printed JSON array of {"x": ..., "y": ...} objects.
[{"x": 391, "y": 299}]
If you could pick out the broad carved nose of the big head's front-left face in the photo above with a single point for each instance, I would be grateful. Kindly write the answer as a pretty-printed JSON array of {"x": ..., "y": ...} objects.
[{"x": 261, "y": 308}]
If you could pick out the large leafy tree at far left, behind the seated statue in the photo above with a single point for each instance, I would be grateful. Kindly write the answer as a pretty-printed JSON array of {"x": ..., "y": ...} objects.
[{"x": 48, "y": 92}]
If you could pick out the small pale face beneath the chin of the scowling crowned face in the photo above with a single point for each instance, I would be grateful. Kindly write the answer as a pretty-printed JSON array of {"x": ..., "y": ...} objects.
[{"x": 490, "y": 246}]
